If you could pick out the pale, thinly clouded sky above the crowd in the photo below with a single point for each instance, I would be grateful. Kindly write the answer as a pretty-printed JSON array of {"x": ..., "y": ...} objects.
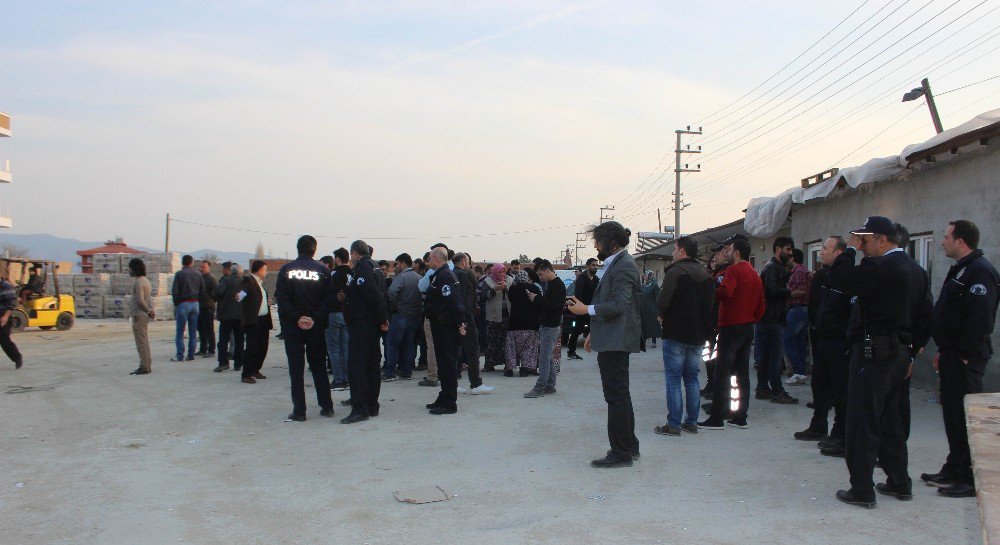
[{"x": 500, "y": 128}]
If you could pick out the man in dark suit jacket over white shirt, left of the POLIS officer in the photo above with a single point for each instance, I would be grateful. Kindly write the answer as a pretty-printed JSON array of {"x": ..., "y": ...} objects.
[{"x": 257, "y": 322}]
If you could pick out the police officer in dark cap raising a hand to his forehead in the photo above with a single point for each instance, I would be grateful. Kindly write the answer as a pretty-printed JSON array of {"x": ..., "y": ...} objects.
[{"x": 892, "y": 301}]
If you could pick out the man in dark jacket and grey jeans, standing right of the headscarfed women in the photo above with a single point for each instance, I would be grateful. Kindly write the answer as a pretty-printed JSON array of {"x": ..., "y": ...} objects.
[{"x": 549, "y": 326}]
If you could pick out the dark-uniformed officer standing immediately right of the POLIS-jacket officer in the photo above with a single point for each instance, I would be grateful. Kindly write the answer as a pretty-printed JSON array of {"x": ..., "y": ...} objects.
[{"x": 366, "y": 315}]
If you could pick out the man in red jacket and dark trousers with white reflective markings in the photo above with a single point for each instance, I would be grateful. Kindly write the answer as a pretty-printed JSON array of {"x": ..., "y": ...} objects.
[{"x": 741, "y": 303}]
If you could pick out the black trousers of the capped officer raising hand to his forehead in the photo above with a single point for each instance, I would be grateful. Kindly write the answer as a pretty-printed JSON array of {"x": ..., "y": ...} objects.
[{"x": 876, "y": 418}]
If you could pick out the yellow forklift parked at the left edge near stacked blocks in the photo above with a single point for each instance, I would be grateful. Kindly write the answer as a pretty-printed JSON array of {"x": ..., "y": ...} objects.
[{"x": 39, "y": 309}]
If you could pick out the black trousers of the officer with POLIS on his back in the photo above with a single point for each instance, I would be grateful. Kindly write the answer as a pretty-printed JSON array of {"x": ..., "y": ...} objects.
[{"x": 300, "y": 345}]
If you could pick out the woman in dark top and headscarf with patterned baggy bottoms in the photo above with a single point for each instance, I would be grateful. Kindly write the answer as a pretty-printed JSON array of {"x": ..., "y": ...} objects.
[{"x": 522, "y": 333}]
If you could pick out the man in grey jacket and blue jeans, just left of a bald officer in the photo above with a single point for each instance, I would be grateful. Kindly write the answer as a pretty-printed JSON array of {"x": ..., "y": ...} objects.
[{"x": 407, "y": 303}]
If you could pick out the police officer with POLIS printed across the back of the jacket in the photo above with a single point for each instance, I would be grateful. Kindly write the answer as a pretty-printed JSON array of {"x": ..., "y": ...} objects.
[{"x": 304, "y": 296}]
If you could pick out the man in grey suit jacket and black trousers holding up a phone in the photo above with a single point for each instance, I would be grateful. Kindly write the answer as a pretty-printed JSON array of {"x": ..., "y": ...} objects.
[{"x": 614, "y": 334}]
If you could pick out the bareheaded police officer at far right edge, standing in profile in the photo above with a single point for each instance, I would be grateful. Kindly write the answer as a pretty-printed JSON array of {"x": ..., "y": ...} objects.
[{"x": 963, "y": 321}]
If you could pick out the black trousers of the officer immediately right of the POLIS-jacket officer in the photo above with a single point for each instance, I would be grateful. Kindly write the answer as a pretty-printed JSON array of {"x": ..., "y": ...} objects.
[{"x": 363, "y": 372}]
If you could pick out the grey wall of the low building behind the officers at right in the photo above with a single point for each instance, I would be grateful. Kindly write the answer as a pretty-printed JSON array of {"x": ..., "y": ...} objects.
[{"x": 923, "y": 199}]
